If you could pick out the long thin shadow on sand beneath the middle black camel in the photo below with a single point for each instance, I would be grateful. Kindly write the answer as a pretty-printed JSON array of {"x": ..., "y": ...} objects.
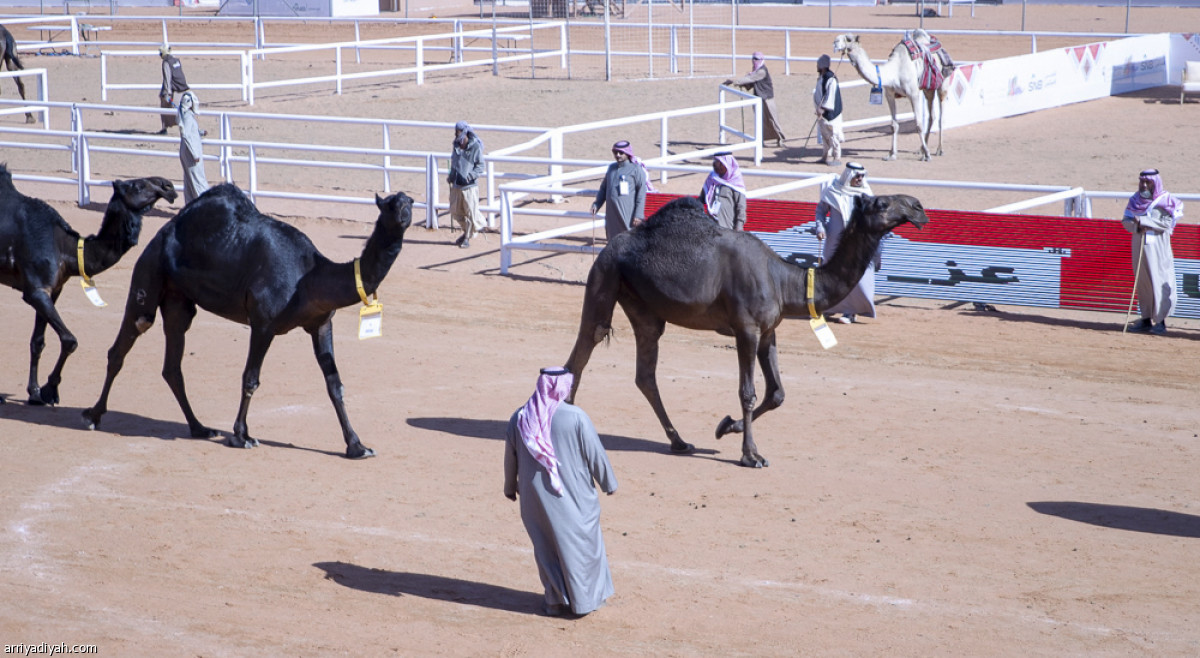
[{"x": 130, "y": 426}]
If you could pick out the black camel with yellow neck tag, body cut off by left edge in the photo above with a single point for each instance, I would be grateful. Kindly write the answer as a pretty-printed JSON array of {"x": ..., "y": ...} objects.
[{"x": 39, "y": 255}]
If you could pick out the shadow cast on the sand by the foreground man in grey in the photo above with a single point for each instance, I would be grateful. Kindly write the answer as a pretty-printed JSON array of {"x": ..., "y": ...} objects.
[{"x": 399, "y": 584}]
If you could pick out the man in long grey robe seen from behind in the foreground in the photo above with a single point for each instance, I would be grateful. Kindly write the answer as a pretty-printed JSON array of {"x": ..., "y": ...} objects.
[{"x": 554, "y": 459}]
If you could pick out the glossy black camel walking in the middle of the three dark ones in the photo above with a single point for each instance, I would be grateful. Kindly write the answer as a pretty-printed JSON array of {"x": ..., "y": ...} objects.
[{"x": 223, "y": 255}]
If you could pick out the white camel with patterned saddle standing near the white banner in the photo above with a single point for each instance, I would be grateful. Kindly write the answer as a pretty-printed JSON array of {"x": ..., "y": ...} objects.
[{"x": 899, "y": 79}]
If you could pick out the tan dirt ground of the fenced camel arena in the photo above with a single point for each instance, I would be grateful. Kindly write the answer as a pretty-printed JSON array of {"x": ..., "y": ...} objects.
[{"x": 944, "y": 483}]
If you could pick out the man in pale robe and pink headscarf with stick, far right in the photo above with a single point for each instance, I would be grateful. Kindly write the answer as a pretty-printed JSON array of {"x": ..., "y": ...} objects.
[{"x": 1151, "y": 217}]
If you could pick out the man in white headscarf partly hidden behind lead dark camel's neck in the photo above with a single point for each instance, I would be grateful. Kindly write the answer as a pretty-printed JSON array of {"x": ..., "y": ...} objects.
[{"x": 833, "y": 212}]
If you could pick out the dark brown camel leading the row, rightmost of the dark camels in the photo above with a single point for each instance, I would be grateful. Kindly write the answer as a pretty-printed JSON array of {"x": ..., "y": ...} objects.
[{"x": 680, "y": 267}]
